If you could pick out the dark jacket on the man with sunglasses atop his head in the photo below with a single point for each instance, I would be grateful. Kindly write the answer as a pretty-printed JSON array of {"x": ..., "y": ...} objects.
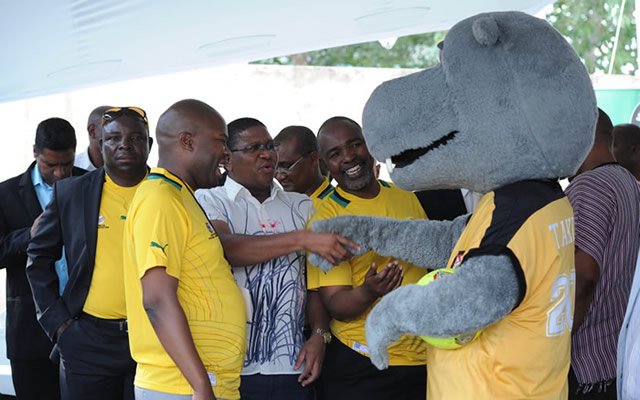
[{"x": 70, "y": 218}]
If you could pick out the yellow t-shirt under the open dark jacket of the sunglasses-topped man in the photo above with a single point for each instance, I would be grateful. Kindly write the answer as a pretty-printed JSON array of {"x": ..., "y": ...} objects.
[{"x": 106, "y": 292}]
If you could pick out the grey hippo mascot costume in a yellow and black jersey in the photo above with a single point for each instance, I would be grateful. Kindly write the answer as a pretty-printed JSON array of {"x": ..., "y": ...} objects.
[{"x": 508, "y": 111}]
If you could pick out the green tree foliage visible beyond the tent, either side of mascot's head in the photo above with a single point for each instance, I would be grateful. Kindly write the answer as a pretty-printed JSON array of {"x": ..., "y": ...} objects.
[{"x": 589, "y": 25}]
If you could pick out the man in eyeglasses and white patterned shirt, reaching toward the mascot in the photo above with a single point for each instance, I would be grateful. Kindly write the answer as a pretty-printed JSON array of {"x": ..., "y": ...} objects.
[{"x": 262, "y": 230}]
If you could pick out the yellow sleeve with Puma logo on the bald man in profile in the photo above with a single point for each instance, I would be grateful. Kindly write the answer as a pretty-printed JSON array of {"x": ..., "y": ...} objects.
[{"x": 159, "y": 232}]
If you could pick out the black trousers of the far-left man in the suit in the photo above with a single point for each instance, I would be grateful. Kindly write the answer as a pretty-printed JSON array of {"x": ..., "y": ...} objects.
[{"x": 35, "y": 379}]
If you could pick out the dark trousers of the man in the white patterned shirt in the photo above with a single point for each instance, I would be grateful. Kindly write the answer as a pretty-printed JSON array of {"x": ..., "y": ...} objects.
[{"x": 273, "y": 387}]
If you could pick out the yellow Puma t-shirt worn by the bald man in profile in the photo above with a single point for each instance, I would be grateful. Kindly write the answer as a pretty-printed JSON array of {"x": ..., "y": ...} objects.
[{"x": 166, "y": 227}]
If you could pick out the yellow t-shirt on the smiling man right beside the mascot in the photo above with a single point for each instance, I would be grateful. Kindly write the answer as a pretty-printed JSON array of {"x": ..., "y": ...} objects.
[{"x": 391, "y": 202}]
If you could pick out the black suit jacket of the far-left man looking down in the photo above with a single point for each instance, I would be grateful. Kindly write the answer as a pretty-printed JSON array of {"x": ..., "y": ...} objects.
[{"x": 19, "y": 207}]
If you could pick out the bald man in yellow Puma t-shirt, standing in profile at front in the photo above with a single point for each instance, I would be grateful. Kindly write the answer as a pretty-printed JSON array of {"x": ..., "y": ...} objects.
[{"x": 186, "y": 313}]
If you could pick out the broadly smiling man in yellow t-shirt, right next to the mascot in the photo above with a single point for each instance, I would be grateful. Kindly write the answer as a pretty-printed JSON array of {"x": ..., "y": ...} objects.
[{"x": 351, "y": 289}]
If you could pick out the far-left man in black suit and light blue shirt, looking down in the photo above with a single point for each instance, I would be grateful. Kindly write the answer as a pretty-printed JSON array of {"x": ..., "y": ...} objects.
[{"x": 22, "y": 199}]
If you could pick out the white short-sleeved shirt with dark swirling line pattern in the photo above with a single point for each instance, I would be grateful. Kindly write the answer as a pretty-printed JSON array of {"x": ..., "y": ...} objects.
[{"x": 274, "y": 290}]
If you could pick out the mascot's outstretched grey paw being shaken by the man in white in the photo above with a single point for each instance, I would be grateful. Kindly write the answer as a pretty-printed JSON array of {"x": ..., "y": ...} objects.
[{"x": 348, "y": 226}]
